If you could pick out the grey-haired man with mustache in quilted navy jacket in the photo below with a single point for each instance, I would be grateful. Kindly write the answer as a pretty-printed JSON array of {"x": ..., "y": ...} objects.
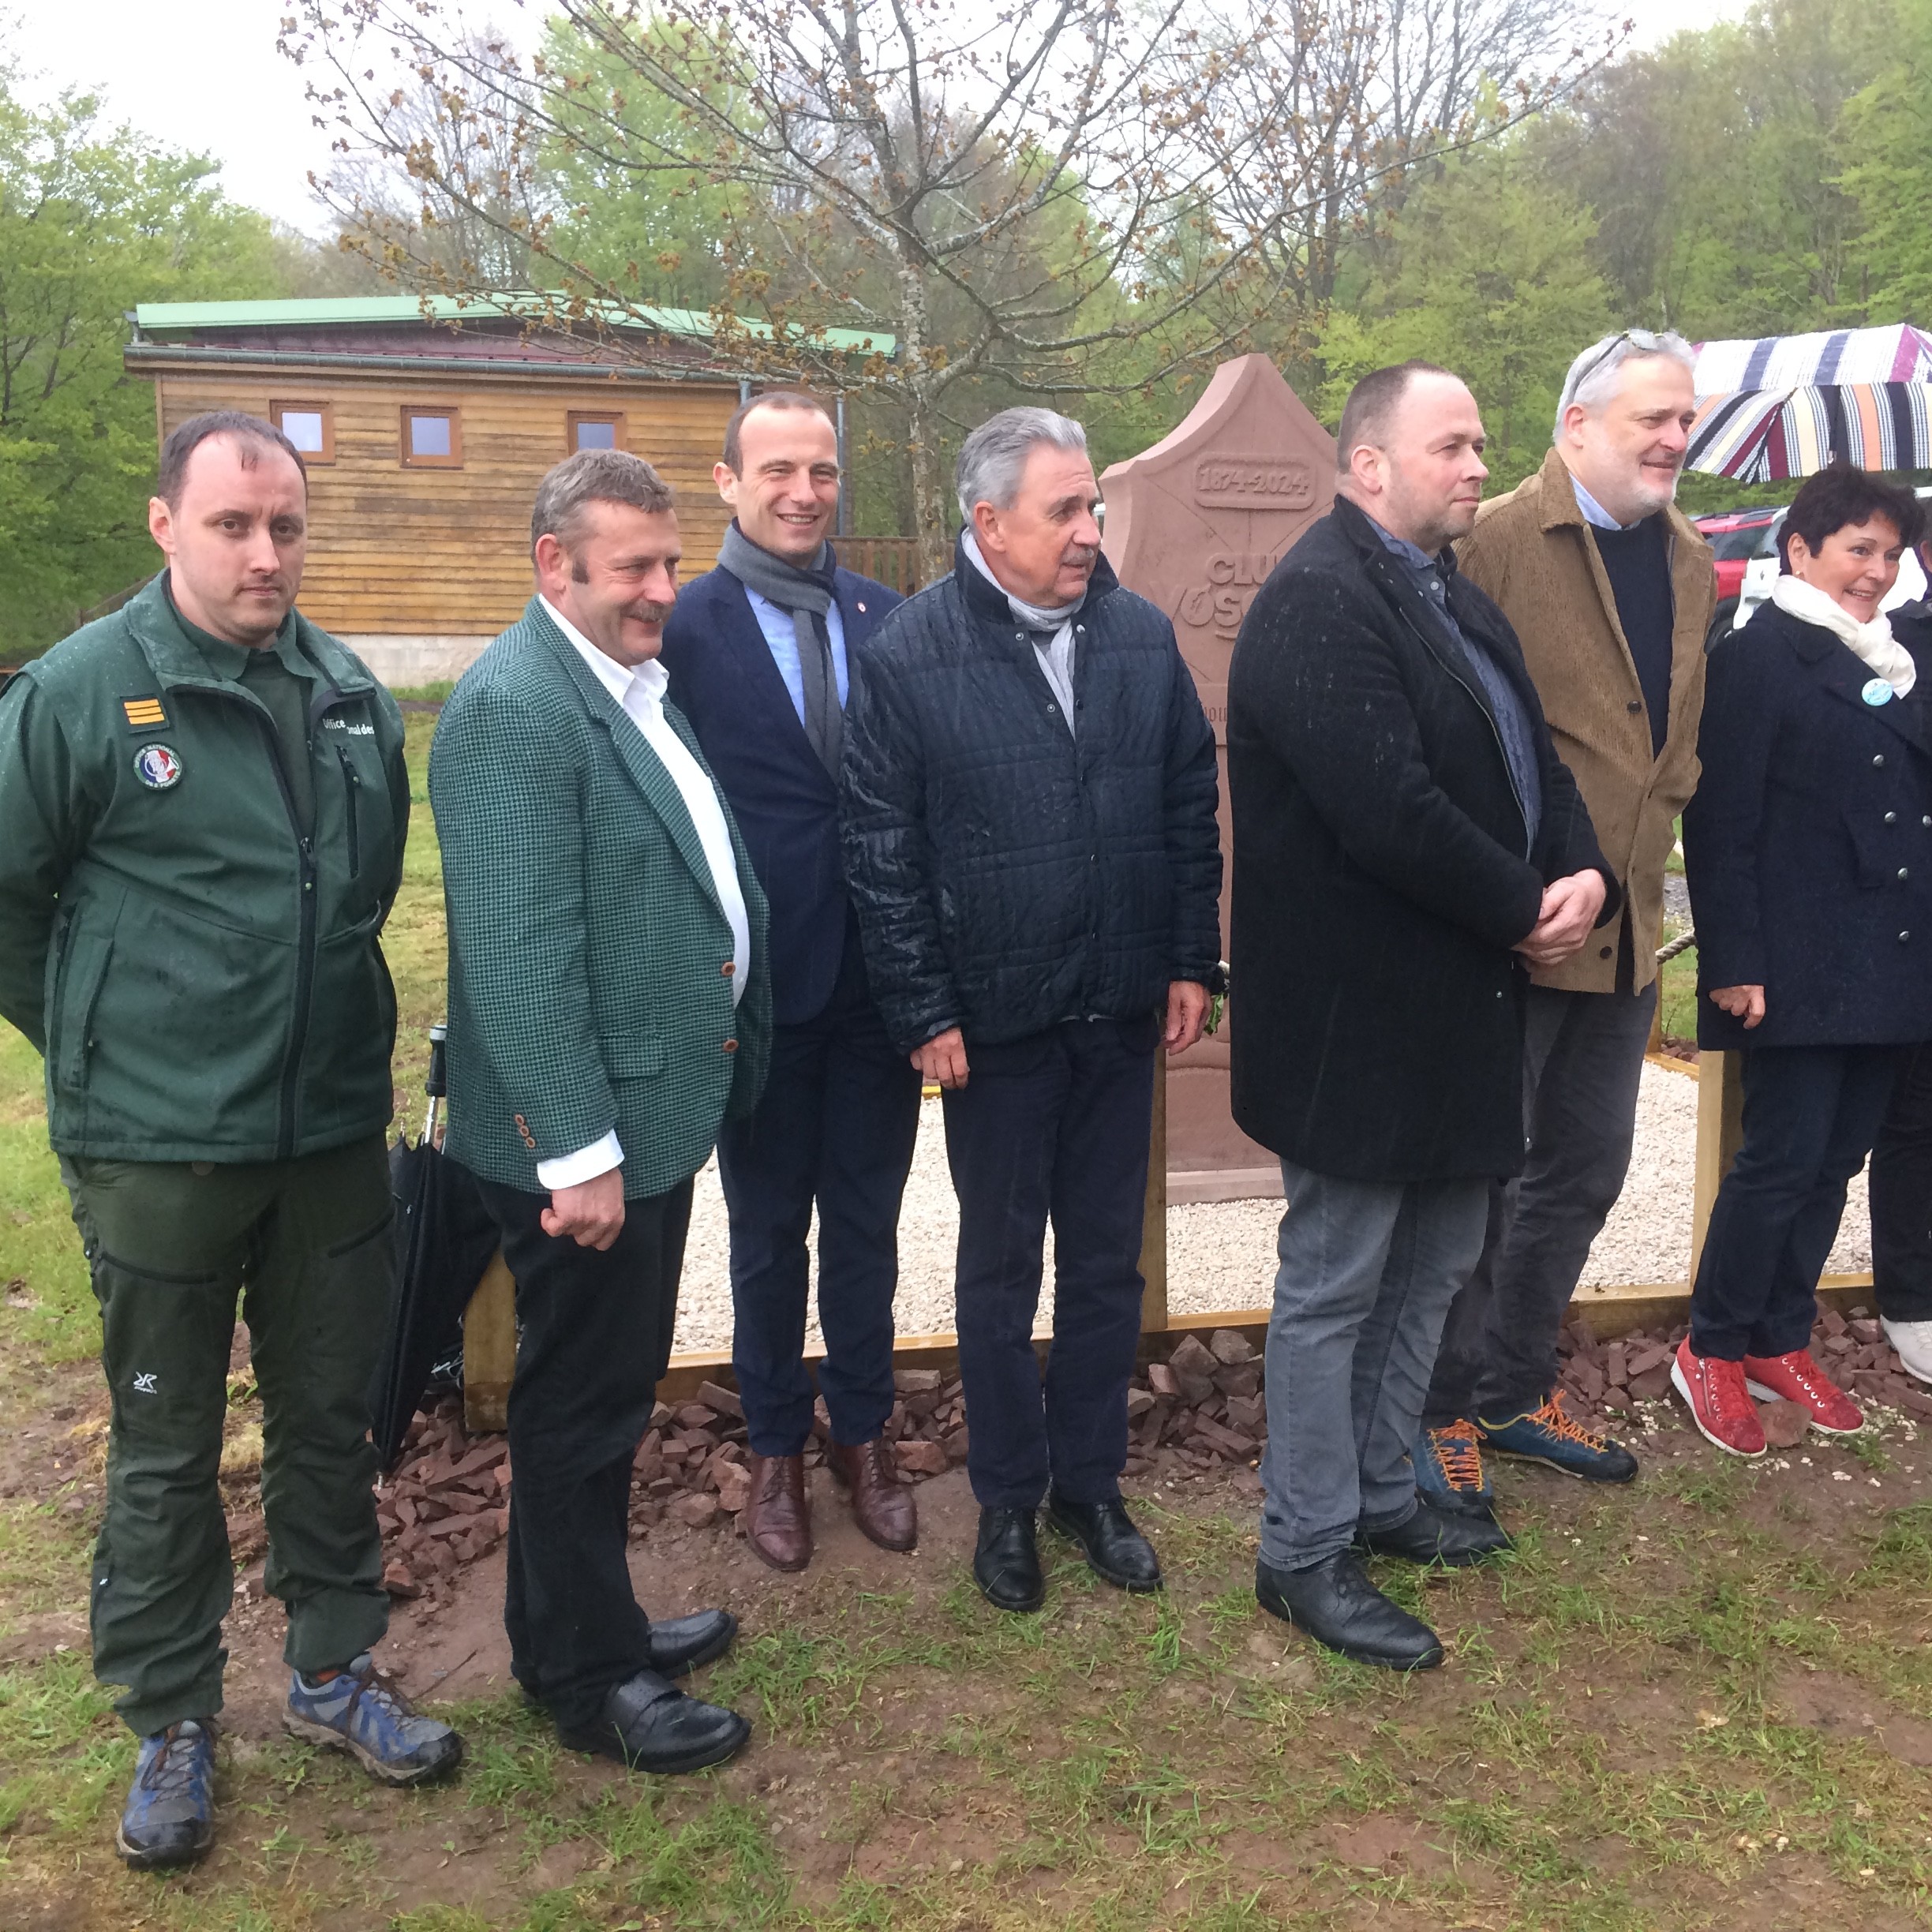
[{"x": 1031, "y": 843}]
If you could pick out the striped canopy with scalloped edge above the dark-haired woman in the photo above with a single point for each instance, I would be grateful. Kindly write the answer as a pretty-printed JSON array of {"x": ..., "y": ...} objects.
[{"x": 1786, "y": 407}]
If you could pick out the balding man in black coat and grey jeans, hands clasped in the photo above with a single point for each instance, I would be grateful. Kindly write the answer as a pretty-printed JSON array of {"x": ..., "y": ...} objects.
[{"x": 1407, "y": 843}]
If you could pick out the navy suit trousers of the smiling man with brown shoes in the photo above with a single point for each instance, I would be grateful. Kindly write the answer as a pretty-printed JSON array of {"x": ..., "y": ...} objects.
[{"x": 836, "y": 1125}]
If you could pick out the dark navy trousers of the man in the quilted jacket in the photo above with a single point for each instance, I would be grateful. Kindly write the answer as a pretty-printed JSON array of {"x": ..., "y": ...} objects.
[{"x": 1054, "y": 1125}]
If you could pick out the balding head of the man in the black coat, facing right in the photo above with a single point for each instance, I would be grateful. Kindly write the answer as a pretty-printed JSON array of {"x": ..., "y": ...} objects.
[{"x": 1411, "y": 453}]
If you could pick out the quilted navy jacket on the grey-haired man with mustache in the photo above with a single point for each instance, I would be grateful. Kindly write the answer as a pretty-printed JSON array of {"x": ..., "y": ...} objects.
[{"x": 1011, "y": 874}]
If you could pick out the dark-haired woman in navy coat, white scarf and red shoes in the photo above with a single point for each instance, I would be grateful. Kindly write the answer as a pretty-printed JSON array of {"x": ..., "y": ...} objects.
[{"x": 1809, "y": 857}]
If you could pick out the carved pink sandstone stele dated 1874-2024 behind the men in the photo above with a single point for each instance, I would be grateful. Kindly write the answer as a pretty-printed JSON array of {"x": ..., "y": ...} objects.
[{"x": 1197, "y": 525}]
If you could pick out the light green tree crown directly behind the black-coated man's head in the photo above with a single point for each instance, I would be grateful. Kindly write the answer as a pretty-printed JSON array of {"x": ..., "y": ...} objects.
[{"x": 1489, "y": 273}]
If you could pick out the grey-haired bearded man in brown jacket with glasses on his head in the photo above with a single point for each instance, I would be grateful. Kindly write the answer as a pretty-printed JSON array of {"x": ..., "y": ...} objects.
[{"x": 1610, "y": 590}]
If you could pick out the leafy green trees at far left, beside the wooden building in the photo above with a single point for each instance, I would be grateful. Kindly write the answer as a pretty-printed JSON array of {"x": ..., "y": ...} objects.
[{"x": 94, "y": 219}]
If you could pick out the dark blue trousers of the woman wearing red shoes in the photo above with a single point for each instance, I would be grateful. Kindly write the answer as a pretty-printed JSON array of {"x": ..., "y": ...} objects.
[{"x": 1811, "y": 1118}]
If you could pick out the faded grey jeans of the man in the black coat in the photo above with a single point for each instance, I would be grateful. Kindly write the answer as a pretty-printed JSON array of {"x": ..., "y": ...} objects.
[{"x": 1369, "y": 1270}]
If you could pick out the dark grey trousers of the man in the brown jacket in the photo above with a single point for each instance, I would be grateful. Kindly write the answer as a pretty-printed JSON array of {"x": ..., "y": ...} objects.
[{"x": 1583, "y": 1058}]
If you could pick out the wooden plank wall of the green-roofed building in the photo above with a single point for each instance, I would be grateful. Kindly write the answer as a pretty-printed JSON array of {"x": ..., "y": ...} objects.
[{"x": 447, "y": 552}]
